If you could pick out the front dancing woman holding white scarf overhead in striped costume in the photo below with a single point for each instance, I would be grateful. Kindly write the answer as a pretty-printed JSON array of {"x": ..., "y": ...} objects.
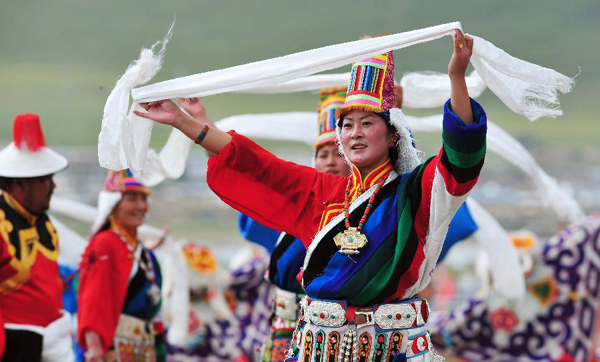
[{"x": 373, "y": 238}]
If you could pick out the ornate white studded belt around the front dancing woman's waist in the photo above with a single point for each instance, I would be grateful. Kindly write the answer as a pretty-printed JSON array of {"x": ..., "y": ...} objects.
[{"x": 400, "y": 315}]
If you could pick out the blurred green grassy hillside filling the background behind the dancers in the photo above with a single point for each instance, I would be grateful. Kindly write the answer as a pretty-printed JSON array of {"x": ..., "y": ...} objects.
[{"x": 61, "y": 58}]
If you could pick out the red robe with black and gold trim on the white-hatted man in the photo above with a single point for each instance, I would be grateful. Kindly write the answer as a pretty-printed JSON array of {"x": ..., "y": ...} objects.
[{"x": 30, "y": 284}]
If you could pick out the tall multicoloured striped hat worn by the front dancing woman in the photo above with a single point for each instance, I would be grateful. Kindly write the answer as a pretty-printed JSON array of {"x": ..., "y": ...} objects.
[{"x": 371, "y": 86}]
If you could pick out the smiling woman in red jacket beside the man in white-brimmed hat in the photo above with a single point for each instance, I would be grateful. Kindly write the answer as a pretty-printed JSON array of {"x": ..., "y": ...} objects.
[{"x": 119, "y": 288}]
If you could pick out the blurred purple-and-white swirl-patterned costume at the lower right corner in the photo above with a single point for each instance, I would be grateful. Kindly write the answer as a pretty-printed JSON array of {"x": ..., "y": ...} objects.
[{"x": 557, "y": 320}]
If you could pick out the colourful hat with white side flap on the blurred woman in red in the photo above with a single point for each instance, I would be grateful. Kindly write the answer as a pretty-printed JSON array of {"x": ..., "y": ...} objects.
[{"x": 116, "y": 183}]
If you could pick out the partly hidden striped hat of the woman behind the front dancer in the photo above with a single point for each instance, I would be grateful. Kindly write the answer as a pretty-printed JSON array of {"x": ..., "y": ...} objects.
[{"x": 330, "y": 100}]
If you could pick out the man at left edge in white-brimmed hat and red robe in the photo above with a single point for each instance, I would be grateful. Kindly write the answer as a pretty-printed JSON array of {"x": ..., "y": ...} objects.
[{"x": 33, "y": 326}]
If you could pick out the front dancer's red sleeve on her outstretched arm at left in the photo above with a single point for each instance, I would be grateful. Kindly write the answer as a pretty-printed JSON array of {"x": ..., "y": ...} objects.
[{"x": 278, "y": 194}]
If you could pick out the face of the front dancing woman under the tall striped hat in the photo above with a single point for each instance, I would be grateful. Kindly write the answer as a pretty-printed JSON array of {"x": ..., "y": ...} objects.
[{"x": 366, "y": 140}]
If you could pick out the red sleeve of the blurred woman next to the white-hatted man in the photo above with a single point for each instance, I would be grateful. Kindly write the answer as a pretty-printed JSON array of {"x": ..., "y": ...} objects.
[{"x": 105, "y": 268}]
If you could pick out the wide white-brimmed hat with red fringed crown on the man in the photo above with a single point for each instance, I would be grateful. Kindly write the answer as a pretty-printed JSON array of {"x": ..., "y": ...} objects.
[{"x": 28, "y": 156}]
